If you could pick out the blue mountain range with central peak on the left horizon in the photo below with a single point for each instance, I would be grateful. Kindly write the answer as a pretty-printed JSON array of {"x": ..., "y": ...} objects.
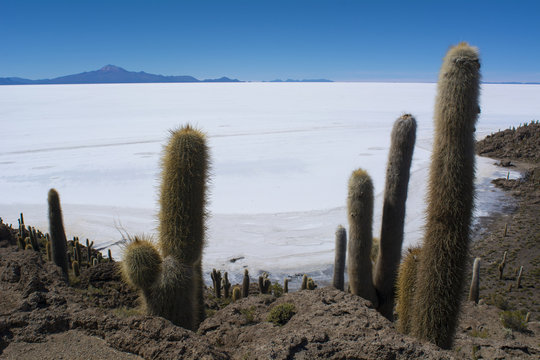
[{"x": 111, "y": 74}]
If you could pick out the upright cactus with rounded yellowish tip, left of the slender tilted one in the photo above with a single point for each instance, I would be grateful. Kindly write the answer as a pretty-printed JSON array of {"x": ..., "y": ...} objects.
[{"x": 360, "y": 215}]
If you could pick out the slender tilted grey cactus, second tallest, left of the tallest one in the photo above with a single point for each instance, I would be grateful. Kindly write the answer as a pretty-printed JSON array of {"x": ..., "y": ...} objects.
[{"x": 395, "y": 195}]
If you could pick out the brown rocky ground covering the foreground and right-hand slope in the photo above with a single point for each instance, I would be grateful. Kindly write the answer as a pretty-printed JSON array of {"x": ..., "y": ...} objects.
[{"x": 98, "y": 317}]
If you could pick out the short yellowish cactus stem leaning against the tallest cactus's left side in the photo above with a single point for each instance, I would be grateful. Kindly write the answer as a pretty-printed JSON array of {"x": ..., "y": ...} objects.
[{"x": 406, "y": 287}]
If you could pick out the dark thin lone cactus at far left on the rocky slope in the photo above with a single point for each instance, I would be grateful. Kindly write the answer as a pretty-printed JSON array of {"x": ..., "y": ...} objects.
[{"x": 58, "y": 235}]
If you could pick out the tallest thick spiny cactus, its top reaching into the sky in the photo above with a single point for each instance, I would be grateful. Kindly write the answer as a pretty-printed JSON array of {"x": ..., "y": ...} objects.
[{"x": 450, "y": 199}]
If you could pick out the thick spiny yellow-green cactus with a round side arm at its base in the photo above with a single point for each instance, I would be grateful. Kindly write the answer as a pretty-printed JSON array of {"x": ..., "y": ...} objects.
[{"x": 170, "y": 281}]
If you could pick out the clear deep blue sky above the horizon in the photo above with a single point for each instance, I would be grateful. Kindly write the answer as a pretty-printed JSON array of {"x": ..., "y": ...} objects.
[{"x": 342, "y": 40}]
